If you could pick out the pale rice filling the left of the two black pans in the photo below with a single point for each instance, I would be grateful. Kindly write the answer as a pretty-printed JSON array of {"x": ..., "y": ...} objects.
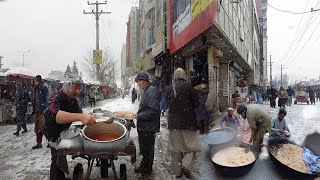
[{"x": 233, "y": 157}]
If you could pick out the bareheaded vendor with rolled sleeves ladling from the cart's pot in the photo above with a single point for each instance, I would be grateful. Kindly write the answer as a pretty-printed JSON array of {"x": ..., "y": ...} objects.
[{"x": 62, "y": 111}]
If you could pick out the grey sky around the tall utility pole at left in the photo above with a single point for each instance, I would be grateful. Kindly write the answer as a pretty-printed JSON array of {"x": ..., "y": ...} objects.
[{"x": 57, "y": 32}]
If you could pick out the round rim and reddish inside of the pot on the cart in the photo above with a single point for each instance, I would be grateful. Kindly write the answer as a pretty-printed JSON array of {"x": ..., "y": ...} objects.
[{"x": 102, "y": 127}]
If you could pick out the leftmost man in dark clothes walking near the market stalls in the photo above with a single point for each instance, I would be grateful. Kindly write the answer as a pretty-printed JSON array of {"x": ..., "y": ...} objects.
[{"x": 21, "y": 102}]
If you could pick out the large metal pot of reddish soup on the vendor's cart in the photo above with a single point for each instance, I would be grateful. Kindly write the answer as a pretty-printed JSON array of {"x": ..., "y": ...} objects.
[{"x": 98, "y": 146}]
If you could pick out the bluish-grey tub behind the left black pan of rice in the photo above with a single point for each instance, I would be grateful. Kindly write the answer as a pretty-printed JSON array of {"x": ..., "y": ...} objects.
[{"x": 220, "y": 138}]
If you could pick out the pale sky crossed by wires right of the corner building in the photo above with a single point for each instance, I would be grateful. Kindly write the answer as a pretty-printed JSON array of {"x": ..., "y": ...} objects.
[{"x": 281, "y": 30}]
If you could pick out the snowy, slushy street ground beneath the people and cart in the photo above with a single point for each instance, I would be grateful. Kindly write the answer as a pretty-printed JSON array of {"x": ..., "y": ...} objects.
[{"x": 19, "y": 161}]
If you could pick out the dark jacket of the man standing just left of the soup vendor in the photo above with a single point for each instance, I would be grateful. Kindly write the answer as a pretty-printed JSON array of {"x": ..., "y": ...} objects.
[{"x": 41, "y": 97}]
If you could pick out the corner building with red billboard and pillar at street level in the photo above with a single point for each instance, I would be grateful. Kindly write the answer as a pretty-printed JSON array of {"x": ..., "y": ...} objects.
[{"x": 217, "y": 41}]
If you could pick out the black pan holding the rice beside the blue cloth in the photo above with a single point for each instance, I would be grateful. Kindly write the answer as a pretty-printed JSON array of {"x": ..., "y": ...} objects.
[{"x": 283, "y": 169}]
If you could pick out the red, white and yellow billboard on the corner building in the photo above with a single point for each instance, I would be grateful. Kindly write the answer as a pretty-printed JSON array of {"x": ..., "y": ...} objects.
[{"x": 189, "y": 18}]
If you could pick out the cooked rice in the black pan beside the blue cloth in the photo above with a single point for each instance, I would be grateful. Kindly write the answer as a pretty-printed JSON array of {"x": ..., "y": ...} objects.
[{"x": 292, "y": 156}]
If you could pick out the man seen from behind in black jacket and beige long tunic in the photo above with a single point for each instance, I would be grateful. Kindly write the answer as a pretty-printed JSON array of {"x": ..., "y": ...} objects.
[{"x": 183, "y": 142}]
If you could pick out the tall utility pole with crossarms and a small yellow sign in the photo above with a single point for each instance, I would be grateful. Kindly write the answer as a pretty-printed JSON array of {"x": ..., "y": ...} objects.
[{"x": 97, "y": 14}]
